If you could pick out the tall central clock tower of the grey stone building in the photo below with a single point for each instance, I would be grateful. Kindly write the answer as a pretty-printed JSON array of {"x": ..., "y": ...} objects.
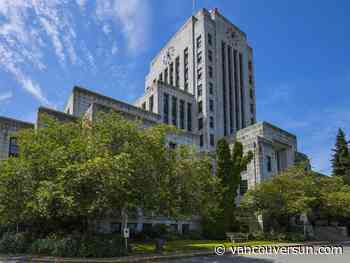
[{"x": 210, "y": 58}]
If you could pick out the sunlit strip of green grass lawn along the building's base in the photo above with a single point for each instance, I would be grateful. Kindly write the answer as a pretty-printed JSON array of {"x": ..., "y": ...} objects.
[{"x": 186, "y": 245}]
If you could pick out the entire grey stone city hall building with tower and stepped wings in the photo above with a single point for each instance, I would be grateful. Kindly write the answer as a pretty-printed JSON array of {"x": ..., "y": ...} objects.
[{"x": 202, "y": 82}]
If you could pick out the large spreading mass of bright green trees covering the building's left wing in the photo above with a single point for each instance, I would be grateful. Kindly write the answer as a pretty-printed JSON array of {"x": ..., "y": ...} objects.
[{"x": 68, "y": 174}]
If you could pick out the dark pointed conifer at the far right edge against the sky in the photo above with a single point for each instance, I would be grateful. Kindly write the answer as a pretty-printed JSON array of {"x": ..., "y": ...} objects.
[{"x": 341, "y": 157}]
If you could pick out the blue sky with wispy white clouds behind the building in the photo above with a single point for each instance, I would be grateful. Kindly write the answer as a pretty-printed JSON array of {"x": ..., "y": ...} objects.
[{"x": 301, "y": 50}]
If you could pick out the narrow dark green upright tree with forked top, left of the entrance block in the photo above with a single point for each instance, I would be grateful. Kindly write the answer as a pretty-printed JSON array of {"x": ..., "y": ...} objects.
[{"x": 230, "y": 164}]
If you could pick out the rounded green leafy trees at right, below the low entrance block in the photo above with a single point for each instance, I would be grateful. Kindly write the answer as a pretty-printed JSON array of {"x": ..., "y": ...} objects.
[{"x": 297, "y": 191}]
